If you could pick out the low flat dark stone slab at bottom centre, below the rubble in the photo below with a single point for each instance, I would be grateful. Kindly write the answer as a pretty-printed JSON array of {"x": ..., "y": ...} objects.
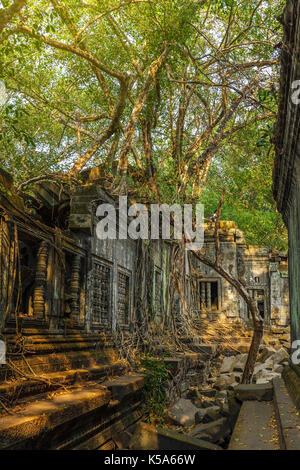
[{"x": 147, "y": 437}]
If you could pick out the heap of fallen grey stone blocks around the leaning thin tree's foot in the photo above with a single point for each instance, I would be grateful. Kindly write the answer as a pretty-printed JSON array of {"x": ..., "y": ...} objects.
[{"x": 209, "y": 413}]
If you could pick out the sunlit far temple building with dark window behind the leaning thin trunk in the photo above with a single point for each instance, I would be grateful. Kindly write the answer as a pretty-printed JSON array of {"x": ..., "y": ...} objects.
[{"x": 263, "y": 272}]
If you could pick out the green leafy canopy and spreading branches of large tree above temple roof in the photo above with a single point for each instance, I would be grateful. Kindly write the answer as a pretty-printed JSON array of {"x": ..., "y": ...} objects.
[{"x": 156, "y": 86}]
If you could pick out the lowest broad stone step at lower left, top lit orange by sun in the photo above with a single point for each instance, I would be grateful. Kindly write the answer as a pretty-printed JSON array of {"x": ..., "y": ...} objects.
[{"x": 85, "y": 417}]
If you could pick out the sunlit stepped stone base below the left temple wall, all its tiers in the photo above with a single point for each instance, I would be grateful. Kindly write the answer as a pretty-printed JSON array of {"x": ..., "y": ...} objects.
[{"x": 67, "y": 392}]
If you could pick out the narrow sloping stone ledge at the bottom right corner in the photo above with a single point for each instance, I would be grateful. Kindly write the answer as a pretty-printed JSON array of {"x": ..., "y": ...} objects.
[{"x": 288, "y": 416}]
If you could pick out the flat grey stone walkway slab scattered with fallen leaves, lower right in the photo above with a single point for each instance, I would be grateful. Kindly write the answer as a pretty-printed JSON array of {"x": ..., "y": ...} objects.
[{"x": 256, "y": 427}]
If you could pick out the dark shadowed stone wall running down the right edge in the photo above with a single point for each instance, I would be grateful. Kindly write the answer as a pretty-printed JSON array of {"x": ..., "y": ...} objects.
[{"x": 286, "y": 178}]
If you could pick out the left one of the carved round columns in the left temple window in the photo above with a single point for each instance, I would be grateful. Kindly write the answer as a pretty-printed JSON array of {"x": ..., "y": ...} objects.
[{"x": 40, "y": 281}]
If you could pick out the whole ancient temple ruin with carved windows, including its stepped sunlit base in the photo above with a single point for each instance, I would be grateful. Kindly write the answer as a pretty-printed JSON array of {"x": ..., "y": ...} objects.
[{"x": 68, "y": 300}]
